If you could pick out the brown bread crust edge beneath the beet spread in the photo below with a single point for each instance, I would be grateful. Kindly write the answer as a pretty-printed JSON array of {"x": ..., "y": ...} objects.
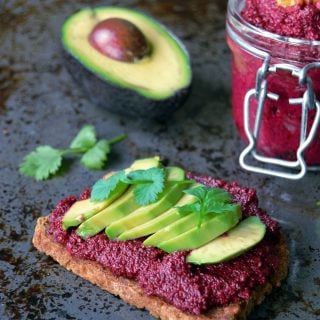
[{"x": 132, "y": 293}]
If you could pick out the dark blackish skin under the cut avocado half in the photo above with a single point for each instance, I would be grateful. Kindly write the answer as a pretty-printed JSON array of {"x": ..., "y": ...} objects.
[{"x": 121, "y": 100}]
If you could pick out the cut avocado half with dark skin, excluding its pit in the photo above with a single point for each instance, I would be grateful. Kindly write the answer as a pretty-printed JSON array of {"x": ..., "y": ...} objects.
[{"x": 152, "y": 87}]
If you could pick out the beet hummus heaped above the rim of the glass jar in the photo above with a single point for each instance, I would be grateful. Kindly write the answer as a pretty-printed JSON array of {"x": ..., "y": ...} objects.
[{"x": 300, "y": 21}]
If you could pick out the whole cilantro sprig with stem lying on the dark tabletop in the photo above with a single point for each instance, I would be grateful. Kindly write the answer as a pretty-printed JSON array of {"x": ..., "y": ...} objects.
[{"x": 45, "y": 161}]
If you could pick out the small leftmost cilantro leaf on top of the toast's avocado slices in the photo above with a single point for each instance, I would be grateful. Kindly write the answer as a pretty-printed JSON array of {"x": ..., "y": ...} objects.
[{"x": 102, "y": 189}]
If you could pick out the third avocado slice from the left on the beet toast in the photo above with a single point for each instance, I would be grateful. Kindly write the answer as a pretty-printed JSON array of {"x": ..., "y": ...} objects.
[{"x": 172, "y": 193}]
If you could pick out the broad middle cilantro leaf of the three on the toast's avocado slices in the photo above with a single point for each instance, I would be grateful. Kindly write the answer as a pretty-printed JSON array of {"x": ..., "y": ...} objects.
[{"x": 150, "y": 184}]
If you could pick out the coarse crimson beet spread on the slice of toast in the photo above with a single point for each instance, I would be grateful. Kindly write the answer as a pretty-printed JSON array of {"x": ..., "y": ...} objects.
[{"x": 193, "y": 289}]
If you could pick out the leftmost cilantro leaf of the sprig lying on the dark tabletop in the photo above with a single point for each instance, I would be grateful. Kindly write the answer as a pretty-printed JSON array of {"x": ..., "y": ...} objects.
[{"x": 41, "y": 163}]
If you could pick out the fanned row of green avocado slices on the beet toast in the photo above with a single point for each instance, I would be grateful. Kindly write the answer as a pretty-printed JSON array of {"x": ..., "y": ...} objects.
[{"x": 218, "y": 238}]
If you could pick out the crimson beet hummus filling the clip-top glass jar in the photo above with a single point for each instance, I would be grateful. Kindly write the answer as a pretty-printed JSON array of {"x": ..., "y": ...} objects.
[{"x": 279, "y": 134}]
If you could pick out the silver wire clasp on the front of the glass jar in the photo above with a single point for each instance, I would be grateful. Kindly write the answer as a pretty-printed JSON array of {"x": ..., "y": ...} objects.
[{"x": 307, "y": 101}]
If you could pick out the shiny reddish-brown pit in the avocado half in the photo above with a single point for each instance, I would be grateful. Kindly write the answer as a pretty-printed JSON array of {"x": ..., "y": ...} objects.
[{"x": 119, "y": 39}]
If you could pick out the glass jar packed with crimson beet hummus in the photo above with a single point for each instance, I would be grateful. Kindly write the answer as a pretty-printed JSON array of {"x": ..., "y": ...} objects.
[{"x": 280, "y": 41}]
